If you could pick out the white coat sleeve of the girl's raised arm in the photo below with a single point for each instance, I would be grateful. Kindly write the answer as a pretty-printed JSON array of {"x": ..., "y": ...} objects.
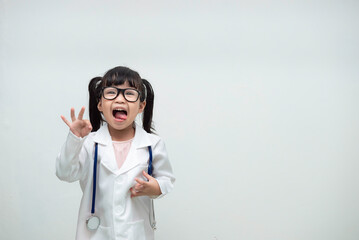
[{"x": 71, "y": 160}]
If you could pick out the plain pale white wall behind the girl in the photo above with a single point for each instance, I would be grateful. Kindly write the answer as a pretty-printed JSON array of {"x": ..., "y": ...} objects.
[{"x": 257, "y": 102}]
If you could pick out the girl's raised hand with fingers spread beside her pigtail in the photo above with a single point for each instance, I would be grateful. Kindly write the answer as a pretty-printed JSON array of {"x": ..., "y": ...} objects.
[{"x": 80, "y": 127}]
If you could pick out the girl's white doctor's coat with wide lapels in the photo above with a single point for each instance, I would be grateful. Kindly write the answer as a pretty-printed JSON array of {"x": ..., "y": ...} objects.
[{"x": 121, "y": 216}]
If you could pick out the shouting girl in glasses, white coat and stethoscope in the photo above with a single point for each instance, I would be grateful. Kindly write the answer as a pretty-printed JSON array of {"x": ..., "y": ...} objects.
[{"x": 110, "y": 156}]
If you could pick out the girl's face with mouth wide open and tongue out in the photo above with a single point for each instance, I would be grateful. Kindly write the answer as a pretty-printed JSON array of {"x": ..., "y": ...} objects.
[{"x": 119, "y": 113}]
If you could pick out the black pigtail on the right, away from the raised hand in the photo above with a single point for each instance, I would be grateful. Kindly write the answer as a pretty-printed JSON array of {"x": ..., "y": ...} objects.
[{"x": 148, "y": 111}]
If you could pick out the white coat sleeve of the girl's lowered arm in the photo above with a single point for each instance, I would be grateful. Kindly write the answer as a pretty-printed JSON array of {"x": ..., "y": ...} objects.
[{"x": 162, "y": 169}]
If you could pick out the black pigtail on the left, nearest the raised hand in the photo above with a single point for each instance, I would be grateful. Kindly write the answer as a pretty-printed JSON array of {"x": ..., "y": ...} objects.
[{"x": 94, "y": 89}]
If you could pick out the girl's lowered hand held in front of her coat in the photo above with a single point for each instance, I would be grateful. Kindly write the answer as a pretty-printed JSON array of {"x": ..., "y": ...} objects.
[{"x": 143, "y": 188}]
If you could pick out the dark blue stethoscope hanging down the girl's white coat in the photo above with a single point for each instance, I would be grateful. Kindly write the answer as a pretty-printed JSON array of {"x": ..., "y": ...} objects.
[{"x": 93, "y": 222}]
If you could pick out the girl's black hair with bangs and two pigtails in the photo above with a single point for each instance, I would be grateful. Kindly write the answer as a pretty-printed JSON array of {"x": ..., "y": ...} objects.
[{"x": 118, "y": 76}]
